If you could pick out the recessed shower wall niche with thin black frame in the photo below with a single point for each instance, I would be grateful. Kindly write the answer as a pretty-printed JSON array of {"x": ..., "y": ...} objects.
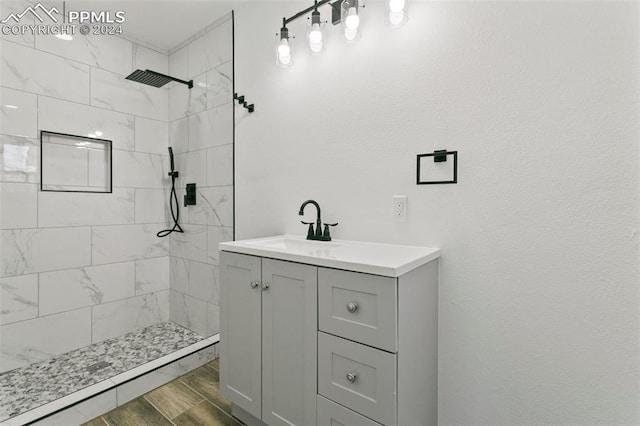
[{"x": 71, "y": 163}]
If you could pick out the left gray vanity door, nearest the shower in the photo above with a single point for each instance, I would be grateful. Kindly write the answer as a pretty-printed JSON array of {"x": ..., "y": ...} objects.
[{"x": 240, "y": 321}]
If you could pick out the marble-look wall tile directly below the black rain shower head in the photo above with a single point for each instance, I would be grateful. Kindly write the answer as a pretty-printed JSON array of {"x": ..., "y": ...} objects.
[{"x": 110, "y": 90}]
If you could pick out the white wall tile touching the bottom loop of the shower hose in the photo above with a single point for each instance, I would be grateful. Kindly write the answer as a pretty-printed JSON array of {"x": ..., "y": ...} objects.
[{"x": 118, "y": 243}]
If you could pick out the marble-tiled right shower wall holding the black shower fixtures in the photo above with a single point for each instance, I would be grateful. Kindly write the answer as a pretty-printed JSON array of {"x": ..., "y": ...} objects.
[{"x": 201, "y": 134}]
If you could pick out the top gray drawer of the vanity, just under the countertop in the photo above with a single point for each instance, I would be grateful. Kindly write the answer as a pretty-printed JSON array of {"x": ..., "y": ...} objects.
[{"x": 357, "y": 306}]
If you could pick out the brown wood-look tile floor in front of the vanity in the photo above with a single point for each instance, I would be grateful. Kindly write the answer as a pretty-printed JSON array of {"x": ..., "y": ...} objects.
[{"x": 190, "y": 400}]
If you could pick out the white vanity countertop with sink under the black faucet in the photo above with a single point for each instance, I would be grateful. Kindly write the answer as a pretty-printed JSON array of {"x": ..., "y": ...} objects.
[{"x": 372, "y": 258}]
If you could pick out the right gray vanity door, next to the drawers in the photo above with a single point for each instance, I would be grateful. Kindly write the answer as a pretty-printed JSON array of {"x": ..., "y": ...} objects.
[{"x": 289, "y": 343}]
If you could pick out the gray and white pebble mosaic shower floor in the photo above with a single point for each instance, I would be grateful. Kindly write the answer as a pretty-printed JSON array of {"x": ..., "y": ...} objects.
[{"x": 29, "y": 387}]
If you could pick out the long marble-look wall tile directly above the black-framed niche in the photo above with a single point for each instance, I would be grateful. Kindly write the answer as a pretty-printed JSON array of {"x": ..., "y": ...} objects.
[{"x": 72, "y": 118}]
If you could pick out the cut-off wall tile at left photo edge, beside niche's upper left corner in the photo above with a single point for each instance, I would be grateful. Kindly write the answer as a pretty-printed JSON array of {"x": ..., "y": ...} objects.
[{"x": 18, "y": 112}]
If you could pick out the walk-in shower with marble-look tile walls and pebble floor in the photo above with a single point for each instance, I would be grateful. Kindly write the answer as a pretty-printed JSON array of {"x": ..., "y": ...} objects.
[{"x": 118, "y": 311}]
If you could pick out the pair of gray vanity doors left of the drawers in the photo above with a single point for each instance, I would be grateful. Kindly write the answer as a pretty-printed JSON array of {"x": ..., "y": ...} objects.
[{"x": 268, "y": 358}]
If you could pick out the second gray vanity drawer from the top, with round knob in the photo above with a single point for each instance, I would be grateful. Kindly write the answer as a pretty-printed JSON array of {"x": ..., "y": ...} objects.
[{"x": 359, "y": 377}]
